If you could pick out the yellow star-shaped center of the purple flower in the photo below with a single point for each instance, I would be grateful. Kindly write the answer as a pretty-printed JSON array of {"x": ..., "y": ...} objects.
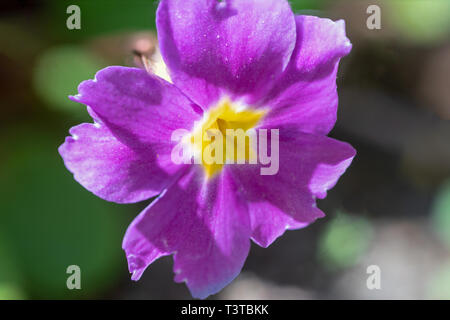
[{"x": 225, "y": 135}]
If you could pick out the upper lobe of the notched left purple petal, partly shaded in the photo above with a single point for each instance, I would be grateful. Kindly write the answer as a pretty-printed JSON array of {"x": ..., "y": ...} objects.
[{"x": 139, "y": 109}]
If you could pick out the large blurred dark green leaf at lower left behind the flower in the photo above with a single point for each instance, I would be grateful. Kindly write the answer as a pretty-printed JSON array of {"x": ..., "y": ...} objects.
[{"x": 50, "y": 222}]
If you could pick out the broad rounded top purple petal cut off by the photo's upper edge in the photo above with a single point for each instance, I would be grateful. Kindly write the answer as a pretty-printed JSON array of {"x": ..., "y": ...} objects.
[{"x": 233, "y": 47}]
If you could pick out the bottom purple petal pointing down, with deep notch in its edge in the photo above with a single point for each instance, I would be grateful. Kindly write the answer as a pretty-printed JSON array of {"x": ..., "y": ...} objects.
[{"x": 205, "y": 226}]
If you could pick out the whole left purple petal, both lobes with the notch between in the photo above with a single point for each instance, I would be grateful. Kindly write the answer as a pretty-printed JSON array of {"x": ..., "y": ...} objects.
[{"x": 126, "y": 156}]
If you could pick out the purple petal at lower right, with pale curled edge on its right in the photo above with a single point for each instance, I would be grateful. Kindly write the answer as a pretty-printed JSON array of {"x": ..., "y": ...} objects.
[{"x": 309, "y": 165}]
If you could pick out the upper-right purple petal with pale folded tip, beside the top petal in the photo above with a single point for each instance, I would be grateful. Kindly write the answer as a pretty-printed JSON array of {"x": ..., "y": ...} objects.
[{"x": 305, "y": 95}]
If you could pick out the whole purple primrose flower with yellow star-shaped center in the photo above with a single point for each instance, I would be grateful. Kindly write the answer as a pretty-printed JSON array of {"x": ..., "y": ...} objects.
[{"x": 234, "y": 64}]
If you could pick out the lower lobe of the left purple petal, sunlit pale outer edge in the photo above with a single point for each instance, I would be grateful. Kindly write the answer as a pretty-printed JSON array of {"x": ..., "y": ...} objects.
[{"x": 109, "y": 168}]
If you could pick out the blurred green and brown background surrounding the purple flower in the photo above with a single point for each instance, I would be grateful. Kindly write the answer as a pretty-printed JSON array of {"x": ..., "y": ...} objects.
[{"x": 391, "y": 209}]
